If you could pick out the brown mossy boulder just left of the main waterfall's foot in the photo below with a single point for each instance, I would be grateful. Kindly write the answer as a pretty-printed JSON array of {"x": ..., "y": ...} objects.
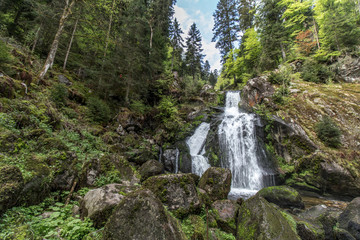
[{"x": 216, "y": 182}]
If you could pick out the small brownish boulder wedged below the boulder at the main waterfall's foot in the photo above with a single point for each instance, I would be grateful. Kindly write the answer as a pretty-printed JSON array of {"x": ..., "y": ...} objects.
[{"x": 225, "y": 212}]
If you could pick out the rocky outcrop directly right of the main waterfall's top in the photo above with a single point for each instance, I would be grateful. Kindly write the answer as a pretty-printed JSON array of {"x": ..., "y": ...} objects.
[{"x": 255, "y": 91}]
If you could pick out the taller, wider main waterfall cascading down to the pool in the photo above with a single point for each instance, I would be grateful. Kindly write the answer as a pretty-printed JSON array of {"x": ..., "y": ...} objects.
[{"x": 238, "y": 145}]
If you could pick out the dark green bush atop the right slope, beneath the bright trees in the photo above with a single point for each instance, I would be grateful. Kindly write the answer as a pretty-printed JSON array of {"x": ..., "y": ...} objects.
[{"x": 312, "y": 71}]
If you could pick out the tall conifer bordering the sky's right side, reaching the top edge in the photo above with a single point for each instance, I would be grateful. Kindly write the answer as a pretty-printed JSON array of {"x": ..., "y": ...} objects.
[{"x": 226, "y": 27}]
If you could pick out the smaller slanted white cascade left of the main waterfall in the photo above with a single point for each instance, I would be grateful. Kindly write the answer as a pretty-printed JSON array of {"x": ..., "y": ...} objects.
[{"x": 196, "y": 145}]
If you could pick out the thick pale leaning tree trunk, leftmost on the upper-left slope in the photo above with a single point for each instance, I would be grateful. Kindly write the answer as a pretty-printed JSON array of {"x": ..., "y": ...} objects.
[{"x": 54, "y": 46}]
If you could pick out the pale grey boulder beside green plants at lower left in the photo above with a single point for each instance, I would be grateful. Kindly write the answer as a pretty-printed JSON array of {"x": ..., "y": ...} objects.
[{"x": 99, "y": 203}]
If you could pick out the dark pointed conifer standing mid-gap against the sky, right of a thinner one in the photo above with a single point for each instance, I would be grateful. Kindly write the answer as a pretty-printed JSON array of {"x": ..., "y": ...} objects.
[{"x": 193, "y": 55}]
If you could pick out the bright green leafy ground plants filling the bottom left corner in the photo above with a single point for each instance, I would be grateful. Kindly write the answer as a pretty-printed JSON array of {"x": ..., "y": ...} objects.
[{"x": 29, "y": 223}]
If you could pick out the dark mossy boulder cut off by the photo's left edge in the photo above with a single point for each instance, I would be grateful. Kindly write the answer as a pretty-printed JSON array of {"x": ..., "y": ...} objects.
[{"x": 11, "y": 184}]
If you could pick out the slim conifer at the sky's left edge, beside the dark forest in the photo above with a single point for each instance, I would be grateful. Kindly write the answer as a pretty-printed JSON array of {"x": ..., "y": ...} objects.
[{"x": 176, "y": 40}]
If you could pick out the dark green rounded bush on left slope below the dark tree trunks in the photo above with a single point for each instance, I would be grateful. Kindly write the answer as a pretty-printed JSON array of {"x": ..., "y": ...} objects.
[{"x": 98, "y": 110}]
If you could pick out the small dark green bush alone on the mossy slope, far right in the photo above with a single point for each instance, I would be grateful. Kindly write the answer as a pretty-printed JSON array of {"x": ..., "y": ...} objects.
[{"x": 328, "y": 132}]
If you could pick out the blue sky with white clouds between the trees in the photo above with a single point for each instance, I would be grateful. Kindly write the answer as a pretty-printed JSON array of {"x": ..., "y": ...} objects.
[{"x": 200, "y": 11}]
